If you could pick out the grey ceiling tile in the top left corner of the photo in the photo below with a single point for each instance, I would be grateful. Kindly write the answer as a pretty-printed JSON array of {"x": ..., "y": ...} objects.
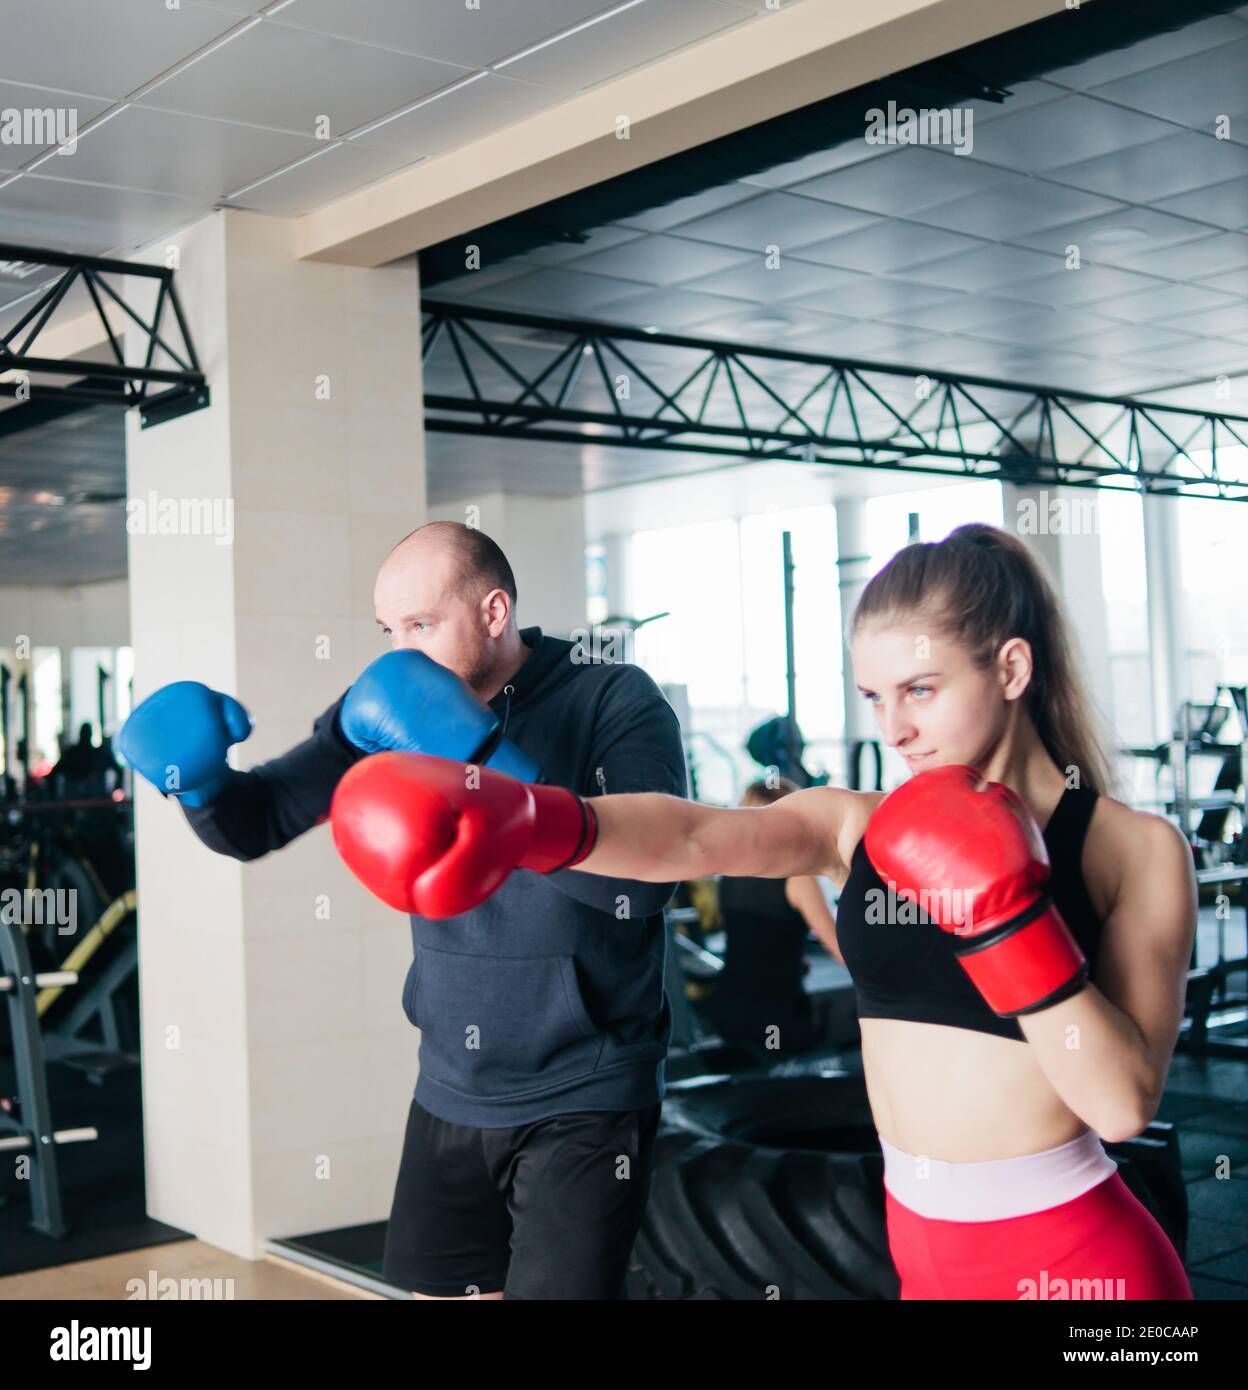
[{"x": 105, "y": 51}]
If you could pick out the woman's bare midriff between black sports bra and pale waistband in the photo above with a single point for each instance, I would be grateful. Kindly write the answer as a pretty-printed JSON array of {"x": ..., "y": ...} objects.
[{"x": 944, "y": 1093}]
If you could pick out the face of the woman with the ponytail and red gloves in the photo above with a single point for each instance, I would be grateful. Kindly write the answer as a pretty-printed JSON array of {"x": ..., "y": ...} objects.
[{"x": 932, "y": 704}]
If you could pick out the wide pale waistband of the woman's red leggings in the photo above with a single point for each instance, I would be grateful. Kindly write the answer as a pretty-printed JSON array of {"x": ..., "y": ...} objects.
[{"x": 1001, "y": 1188}]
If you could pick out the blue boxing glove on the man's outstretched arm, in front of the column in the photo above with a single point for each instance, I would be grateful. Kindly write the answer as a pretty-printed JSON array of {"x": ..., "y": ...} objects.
[{"x": 179, "y": 737}]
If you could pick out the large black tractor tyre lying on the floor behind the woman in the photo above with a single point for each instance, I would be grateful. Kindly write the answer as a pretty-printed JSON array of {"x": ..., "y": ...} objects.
[{"x": 778, "y": 1184}]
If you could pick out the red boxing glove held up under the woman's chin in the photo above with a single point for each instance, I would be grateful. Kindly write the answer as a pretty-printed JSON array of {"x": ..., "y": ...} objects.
[{"x": 976, "y": 864}]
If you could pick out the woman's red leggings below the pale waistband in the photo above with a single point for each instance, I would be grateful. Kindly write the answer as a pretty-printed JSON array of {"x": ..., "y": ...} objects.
[{"x": 1101, "y": 1245}]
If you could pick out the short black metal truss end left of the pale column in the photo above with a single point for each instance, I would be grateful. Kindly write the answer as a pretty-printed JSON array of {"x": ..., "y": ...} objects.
[{"x": 161, "y": 393}]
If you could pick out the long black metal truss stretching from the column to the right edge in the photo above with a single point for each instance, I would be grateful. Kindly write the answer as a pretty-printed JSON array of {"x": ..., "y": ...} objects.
[{"x": 754, "y": 402}]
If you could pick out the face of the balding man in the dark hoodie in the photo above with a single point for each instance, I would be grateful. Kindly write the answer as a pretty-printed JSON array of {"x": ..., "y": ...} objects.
[{"x": 420, "y": 605}]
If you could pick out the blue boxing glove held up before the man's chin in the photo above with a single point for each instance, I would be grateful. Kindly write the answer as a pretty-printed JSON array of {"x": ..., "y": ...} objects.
[{"x": 407, "y": 703}]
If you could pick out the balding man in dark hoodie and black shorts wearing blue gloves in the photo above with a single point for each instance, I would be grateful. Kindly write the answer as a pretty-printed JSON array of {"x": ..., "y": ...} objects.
[{"x": 544, "y": 1027}]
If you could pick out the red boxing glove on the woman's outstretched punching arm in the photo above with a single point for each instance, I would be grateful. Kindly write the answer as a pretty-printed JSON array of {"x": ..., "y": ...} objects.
[{"x": 436, "y": 837}]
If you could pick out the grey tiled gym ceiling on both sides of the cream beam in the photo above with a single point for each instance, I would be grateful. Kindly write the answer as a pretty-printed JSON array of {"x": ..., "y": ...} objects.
[{"x": 901, "y": 255}]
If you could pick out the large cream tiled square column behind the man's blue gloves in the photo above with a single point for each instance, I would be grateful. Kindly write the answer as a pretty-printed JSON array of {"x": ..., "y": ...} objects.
[{"x": 277, "y": 1061}]
